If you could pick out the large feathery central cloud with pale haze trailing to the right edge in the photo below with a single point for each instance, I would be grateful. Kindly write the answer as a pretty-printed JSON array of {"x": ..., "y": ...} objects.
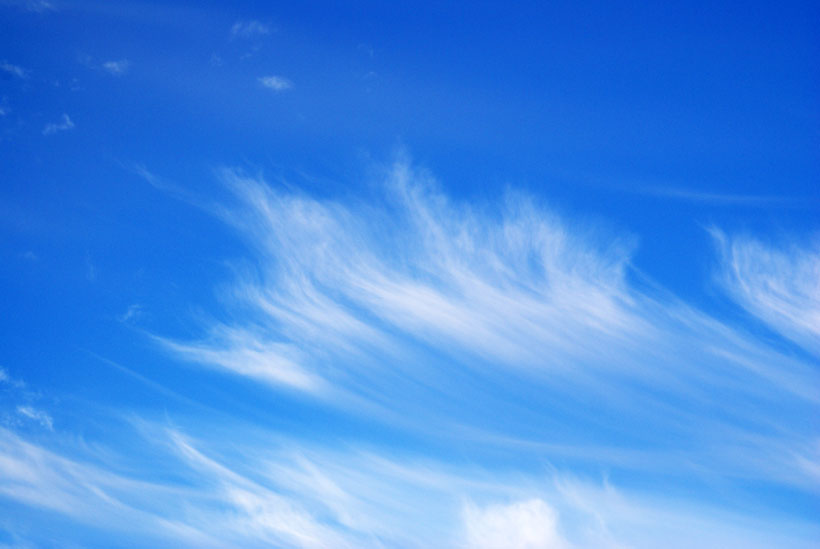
[{"x": 422, "y": 308}]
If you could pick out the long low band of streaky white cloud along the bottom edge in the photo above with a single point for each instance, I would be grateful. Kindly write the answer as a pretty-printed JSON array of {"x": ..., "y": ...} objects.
[{"x": 289, "y": 495}]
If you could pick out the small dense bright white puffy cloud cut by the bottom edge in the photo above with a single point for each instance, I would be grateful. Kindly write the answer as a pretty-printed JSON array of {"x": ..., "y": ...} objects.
[{"x": 530, "y": 524}]
